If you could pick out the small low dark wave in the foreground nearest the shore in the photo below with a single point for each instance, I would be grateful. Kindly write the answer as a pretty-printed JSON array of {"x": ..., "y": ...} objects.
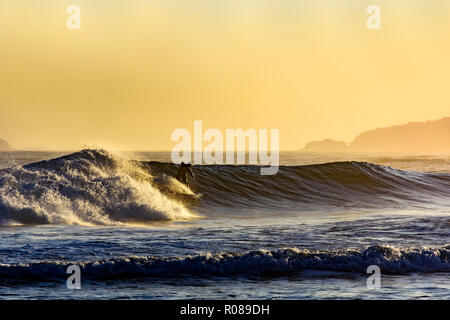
[{"x": 391, "y": 260}]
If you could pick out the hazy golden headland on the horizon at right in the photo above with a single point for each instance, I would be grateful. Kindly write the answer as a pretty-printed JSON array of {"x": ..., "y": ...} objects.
[{"x": 429, "y": 136}]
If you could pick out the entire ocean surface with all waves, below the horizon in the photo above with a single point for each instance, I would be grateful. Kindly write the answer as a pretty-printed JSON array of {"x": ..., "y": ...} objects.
[{"x": 308, "y": 232}]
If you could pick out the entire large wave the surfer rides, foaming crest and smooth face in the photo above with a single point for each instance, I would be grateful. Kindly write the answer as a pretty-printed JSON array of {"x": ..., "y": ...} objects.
[{"x": 95, "y": 187}]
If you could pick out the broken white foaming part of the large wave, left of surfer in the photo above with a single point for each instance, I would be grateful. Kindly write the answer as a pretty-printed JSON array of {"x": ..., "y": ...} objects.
[{"x": 91, "y": 187}]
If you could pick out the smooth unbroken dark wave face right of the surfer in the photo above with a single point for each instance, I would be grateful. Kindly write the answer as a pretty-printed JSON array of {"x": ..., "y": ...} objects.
[{"x": 322, "y": 186}]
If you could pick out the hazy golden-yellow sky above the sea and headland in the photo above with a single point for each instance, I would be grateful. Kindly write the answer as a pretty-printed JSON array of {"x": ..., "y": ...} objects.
[{"x": 137, "y": 70}]
